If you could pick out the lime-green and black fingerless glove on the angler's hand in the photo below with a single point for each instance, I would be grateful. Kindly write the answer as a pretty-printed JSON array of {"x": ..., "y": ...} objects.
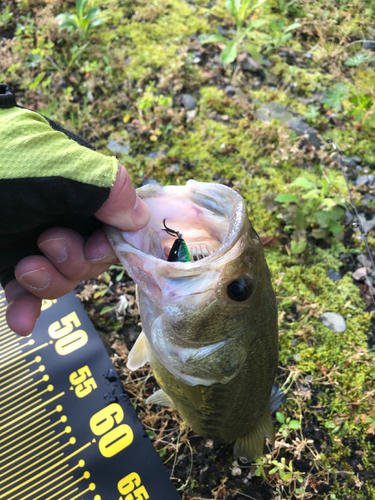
[{"x": 48, "y": 177}]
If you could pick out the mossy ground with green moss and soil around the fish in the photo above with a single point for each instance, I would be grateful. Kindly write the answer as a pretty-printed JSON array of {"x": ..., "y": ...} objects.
[{"x": 108, "y": 84}]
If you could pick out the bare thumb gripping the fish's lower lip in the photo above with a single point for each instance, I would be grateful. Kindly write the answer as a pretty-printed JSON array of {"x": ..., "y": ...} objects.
[{"x": 124, "y": 209}]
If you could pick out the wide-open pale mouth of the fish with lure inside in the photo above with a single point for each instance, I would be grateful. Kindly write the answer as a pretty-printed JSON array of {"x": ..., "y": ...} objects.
[{"x": 208, "y": 216}]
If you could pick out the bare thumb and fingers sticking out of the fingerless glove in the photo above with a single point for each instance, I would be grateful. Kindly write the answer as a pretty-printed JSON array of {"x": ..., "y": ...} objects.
[{"x": 68, "y": 258}]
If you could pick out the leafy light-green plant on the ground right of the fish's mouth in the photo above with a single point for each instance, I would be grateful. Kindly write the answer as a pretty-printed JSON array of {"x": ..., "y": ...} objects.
[{"x": 307, "y": 211}]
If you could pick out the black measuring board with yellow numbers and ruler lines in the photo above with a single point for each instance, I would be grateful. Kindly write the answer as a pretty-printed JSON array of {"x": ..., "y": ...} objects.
[{"x": 67, "y": 429}]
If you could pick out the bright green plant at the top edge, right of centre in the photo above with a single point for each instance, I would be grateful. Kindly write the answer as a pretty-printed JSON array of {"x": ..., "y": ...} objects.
[{"x": 240, "y": 10}]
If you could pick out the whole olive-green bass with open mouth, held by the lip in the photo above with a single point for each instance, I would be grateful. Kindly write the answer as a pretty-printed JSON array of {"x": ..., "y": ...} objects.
[{"x": 209, "y": 325}]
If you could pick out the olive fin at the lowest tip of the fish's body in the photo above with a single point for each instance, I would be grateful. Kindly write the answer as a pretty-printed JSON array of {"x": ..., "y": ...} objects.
[{"x": 251, "y": 446}]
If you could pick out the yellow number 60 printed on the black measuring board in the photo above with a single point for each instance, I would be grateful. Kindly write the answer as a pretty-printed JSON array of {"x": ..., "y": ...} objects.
[{"x": 114, "y": 439}]
